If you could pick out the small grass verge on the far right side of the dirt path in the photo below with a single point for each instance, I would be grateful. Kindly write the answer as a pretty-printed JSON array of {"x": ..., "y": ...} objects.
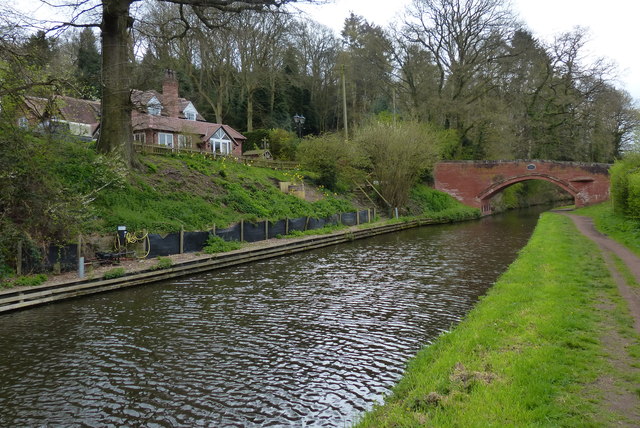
[{"x": 624, "y": 230}]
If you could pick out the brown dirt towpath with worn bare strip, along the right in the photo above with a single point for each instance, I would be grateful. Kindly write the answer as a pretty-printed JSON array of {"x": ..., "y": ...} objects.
[{"x": 620, "y": 396}]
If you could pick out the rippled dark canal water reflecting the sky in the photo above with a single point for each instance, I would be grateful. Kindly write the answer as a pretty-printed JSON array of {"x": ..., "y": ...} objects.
[{"x": 312, "y": 339}]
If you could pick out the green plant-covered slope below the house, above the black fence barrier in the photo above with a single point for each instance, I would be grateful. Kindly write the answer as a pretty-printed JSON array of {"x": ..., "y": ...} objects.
[{"x": 197, "y": 196}]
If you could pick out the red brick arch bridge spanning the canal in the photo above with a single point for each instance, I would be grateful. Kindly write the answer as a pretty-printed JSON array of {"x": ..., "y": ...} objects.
[{"x": 474, "y": 183}]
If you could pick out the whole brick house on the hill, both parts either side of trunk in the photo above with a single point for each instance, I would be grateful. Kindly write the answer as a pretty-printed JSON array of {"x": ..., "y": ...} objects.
[{"x": 157, "y": 119}]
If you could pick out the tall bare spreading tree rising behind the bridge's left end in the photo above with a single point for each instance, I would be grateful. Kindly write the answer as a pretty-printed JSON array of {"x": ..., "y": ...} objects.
[{"x": 463, "y": 37}]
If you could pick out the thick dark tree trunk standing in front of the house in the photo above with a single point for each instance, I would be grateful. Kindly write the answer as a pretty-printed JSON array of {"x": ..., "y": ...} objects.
[{"x": 115, "y": 117}]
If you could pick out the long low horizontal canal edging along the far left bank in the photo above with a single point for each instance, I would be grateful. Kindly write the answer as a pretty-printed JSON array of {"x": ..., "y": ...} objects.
[{"x": 11, "y": 300}]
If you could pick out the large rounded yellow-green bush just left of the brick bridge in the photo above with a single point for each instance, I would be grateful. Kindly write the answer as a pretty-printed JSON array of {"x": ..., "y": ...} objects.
[{"x": 398, "y": 155}]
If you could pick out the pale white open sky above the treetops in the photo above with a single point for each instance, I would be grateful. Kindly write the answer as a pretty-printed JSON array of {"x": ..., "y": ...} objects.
[{"x": 614, "y": 25}]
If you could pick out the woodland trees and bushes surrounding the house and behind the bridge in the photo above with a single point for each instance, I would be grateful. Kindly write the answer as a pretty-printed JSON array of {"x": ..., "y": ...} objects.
[{"x": 450, "y": 80}]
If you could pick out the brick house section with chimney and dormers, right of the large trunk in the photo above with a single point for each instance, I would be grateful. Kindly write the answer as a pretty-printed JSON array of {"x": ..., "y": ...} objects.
[{"x": 168, "y": 120}]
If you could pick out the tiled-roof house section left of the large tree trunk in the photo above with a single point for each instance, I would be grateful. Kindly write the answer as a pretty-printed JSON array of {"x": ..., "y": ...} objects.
[{"x": 62, "y": 114}]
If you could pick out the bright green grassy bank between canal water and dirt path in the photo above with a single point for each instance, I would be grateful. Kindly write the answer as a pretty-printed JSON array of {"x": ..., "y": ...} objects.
[{"x": 527, "y": 355}]
